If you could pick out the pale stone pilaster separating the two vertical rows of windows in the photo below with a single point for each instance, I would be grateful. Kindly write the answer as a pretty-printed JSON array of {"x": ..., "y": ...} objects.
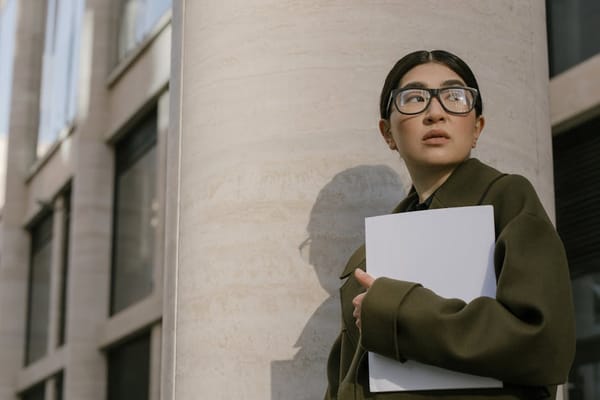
[{"x": 91, "y": 210}]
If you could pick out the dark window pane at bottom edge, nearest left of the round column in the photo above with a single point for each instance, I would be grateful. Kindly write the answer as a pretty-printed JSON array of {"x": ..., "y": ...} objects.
[{"x": 129, "y": 370}]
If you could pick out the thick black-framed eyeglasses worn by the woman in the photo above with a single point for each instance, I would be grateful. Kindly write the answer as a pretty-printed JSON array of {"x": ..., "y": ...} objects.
[{"x": 454, "y": 99}]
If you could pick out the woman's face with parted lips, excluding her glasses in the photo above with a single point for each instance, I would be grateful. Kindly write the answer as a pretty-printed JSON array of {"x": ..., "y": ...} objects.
[{"x": 433, "y": 138}]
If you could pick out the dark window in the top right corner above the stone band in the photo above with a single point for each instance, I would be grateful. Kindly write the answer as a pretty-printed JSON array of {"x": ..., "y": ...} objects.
[{"x": 573, "y": 31}]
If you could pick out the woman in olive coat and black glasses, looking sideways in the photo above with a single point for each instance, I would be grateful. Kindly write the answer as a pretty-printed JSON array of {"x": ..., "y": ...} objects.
[{"x": 431, "y": 113}]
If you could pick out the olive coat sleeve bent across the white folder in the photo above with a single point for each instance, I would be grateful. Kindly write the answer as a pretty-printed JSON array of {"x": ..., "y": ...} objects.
[{"x": 525, "y": 336}]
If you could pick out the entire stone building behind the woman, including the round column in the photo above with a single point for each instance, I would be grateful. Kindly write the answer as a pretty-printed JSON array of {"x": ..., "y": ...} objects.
[{"x": 185, "y": 179}]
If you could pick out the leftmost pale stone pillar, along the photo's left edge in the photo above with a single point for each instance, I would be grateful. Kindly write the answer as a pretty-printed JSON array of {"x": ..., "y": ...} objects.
[{"x": 14, "y": 260}]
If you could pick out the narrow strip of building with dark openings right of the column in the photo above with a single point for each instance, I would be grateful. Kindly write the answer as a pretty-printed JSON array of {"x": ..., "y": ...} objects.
[{"x": 575, "y": 112}]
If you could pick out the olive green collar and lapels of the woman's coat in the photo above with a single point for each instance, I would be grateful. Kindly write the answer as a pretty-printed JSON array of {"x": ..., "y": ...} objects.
[{"x": 467, "y": 185}]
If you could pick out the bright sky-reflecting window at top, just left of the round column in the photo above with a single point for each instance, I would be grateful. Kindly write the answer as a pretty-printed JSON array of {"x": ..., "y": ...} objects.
[{"x": 137, "y": 18}]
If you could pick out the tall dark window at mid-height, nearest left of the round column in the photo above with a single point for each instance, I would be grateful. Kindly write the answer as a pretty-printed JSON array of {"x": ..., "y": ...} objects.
[{"x": 135, "y": 215}]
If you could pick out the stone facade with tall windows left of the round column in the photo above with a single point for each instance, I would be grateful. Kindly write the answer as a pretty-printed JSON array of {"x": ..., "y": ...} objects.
[{"x": 82, "y": 221}]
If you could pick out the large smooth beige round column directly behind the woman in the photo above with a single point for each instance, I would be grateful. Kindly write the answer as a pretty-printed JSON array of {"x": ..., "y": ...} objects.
[{"x": 275, "y": 159}]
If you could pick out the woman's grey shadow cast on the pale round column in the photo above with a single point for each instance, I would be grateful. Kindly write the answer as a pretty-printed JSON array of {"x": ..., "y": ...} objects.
[{"x": 335, "y": 229}]
